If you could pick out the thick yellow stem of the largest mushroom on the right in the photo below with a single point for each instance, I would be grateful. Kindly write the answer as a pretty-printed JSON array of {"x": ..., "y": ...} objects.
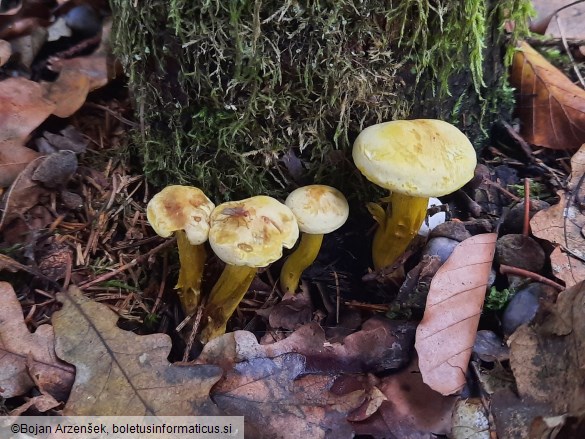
[{"x": 403, "y": 219}]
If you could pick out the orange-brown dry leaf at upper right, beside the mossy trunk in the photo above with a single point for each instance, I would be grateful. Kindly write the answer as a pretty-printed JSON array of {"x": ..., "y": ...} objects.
[{"x": 550, "y": 107}]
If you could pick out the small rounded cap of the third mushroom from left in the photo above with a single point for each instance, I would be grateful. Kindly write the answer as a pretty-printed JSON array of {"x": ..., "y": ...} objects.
[{"x": 319, "y": 209}]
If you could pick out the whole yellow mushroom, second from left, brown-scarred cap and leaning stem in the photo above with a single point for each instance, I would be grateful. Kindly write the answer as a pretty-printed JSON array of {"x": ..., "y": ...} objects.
[{"x": 246, "y": 235}]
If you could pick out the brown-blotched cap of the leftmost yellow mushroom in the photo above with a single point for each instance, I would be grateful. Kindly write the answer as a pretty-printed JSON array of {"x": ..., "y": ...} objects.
[{"x": 180, "y": 208}]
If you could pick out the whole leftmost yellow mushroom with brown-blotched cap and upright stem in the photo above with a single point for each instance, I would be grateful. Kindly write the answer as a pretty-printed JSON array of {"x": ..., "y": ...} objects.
[{"x": 184, "y": 211}]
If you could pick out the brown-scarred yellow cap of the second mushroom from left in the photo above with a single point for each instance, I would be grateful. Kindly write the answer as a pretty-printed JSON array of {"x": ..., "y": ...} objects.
[{"x": 252, "y": 232}]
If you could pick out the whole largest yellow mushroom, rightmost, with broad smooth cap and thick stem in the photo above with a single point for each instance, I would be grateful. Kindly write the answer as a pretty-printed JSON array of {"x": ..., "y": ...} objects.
[{"x": 415, "y": 160}]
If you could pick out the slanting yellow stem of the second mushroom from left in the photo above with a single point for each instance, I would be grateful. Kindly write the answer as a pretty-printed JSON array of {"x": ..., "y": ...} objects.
[{"x": 225, "y": 297}]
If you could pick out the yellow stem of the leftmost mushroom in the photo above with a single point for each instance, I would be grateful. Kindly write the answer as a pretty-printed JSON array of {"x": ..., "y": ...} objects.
[{"x": 192, "y": 261}]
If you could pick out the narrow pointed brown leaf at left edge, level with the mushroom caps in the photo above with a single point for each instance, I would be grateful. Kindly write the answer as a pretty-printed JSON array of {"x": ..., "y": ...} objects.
[{"x": 22, "y": 195}]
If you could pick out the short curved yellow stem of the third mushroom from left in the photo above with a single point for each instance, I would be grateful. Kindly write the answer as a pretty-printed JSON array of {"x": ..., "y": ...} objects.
[{"x": 299, "y": 260}]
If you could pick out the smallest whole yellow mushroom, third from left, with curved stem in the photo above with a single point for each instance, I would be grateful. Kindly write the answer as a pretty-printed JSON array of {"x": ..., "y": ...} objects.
[{"x": 319, "y": 209}]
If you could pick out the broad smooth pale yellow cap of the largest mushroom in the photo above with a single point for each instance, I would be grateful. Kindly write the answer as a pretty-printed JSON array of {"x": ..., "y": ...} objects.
[{"x": 423, "y": 157}]
